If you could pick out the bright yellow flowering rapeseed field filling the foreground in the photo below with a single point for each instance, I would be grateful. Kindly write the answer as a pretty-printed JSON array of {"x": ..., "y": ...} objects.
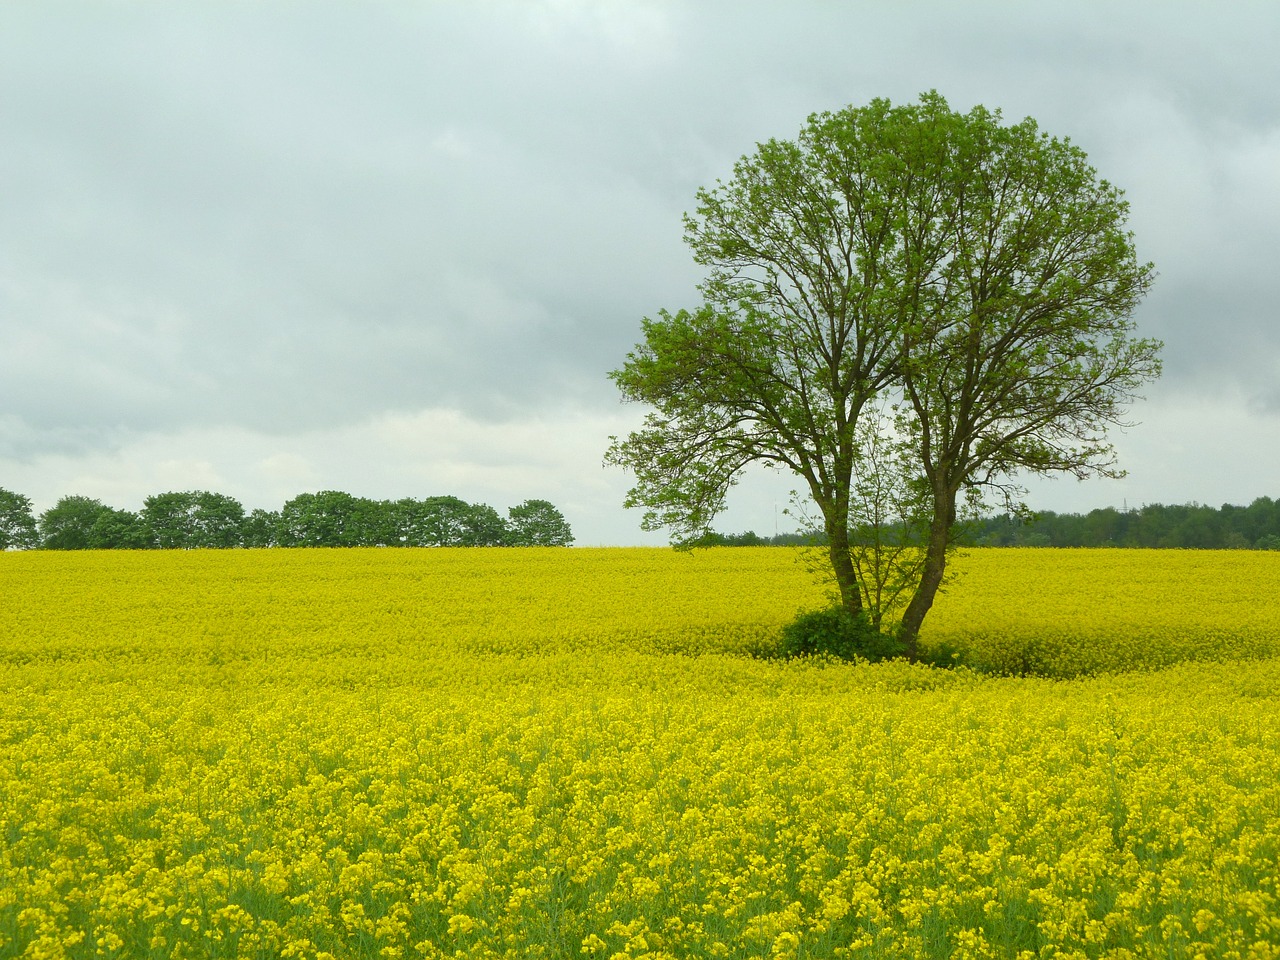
[{"x": 575, "y": 755}]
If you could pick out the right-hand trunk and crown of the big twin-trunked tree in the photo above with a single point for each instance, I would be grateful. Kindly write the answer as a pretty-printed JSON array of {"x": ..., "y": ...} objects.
[{"x": 1022, "y": 354}]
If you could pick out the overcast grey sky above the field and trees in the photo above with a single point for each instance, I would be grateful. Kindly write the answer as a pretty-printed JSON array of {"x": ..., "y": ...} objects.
[{"x": 394, "y": 249}]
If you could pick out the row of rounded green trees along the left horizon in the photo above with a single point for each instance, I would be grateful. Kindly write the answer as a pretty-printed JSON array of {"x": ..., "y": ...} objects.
[{"x": 204, "y": 520}]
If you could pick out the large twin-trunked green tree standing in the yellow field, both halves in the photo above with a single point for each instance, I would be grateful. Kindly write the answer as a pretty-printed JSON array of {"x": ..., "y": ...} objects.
[{"x": 979, "y": 276}]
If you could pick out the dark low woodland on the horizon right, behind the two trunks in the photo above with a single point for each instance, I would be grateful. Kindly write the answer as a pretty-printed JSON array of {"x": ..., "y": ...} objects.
[{"x": 1182, "y": 527}]
